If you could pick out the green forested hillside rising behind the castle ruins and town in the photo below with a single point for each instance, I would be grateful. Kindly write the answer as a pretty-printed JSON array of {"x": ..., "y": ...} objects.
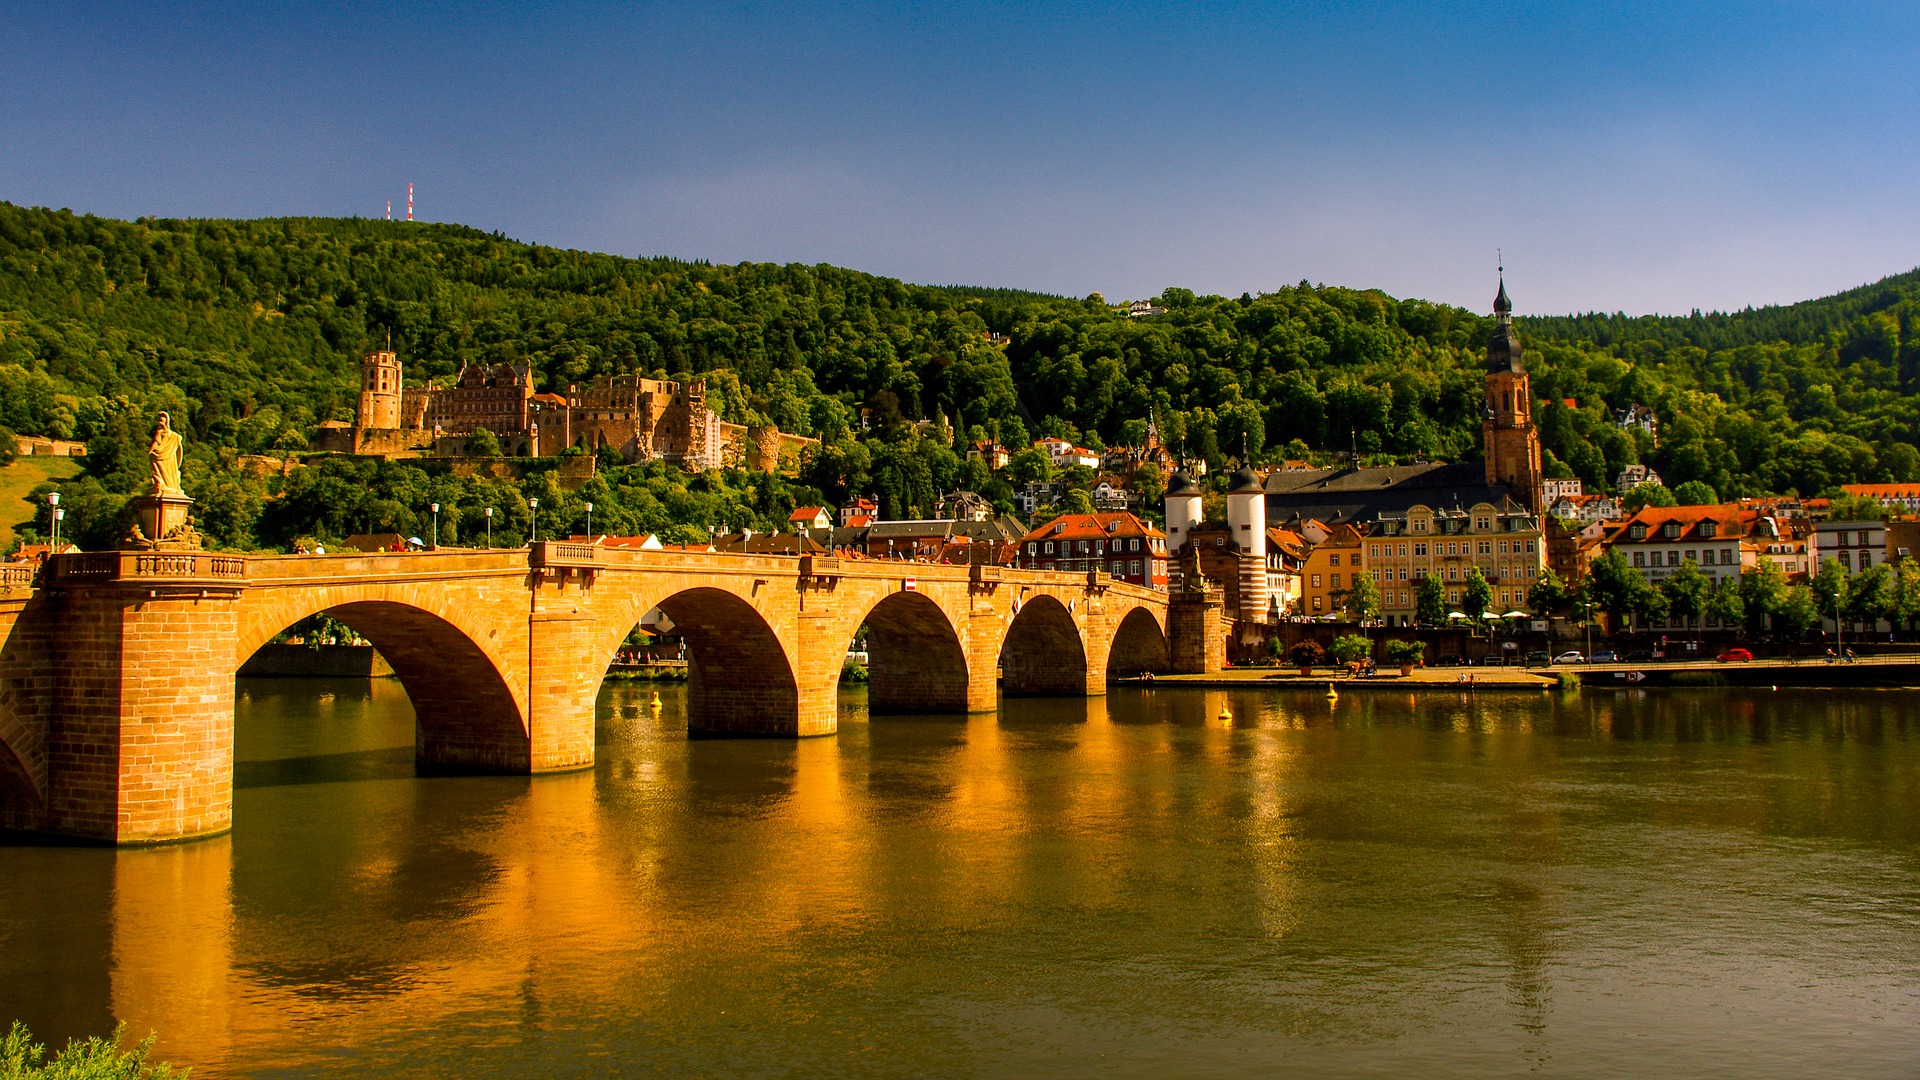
[{"x": 252, "y": 330}]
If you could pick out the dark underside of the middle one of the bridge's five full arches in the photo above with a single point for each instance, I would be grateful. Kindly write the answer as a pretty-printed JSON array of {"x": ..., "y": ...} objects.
[{"x": 917, "y": 662}]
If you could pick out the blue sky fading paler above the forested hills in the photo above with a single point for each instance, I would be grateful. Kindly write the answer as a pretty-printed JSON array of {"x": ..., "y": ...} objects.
[{"x": 1625, "y": 157}]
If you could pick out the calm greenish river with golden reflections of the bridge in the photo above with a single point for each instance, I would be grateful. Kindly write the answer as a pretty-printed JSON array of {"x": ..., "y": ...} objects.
[{"x": 1585, "y": 885}]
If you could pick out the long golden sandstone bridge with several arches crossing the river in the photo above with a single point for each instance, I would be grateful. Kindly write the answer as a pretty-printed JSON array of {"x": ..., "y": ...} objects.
[{"x": 118, "y": 668}]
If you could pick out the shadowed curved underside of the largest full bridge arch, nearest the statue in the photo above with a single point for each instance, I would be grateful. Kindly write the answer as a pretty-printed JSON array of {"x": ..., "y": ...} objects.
[{"x": 468, "y": 714}]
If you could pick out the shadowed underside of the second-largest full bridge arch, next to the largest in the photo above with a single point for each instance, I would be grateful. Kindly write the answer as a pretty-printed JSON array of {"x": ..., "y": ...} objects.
[{"x": 740, "y": 679}]
